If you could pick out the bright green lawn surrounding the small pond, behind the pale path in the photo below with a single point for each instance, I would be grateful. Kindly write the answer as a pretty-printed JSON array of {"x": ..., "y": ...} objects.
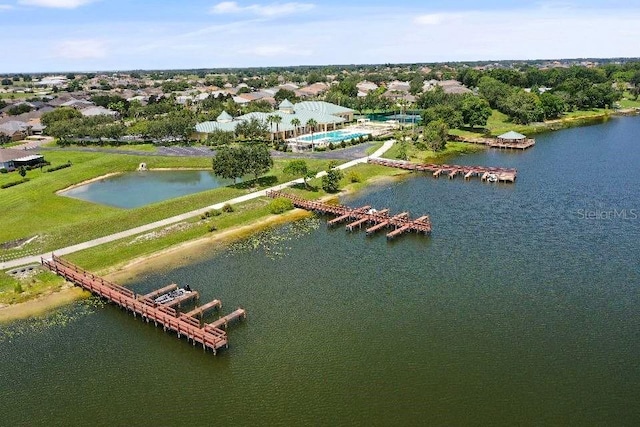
[{"x": 33, "y": 208}]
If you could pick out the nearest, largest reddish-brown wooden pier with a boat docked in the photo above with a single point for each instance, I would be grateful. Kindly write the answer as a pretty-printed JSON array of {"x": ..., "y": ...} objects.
[{"x": 210, "y": 336}]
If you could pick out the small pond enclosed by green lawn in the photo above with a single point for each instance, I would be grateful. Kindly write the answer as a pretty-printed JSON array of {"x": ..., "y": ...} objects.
[{"x": 135, "y": 189}]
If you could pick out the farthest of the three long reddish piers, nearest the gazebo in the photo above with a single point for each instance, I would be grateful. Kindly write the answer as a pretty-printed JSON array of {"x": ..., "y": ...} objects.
[{"x": 487, "y": 174}]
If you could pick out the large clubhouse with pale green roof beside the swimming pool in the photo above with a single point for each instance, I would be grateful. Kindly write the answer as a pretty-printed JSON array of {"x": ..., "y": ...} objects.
[{"x": 293, "y": 119}]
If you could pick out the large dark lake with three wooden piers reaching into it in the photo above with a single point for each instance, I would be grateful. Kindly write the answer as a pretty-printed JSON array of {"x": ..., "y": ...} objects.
[{"x": 521, "y": 309}]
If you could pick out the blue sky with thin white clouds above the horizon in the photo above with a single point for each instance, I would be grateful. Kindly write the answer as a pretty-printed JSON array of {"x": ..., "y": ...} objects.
[{"x": 89, "y": 35}]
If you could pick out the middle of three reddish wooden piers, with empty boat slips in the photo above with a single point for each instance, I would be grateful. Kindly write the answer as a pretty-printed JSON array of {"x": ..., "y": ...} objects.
[{"x": 379, "y": 219}]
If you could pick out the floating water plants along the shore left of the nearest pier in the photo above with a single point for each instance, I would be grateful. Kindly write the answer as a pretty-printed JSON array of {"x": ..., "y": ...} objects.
[{"x": 57, "y": 319}]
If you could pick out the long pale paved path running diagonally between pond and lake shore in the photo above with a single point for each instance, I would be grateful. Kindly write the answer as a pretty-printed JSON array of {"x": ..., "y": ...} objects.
[{"x": 174, "y": 219}]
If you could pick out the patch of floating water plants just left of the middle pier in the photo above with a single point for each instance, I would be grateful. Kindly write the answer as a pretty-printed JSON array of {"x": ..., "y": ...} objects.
[{"x": 273, "y": 242}]
